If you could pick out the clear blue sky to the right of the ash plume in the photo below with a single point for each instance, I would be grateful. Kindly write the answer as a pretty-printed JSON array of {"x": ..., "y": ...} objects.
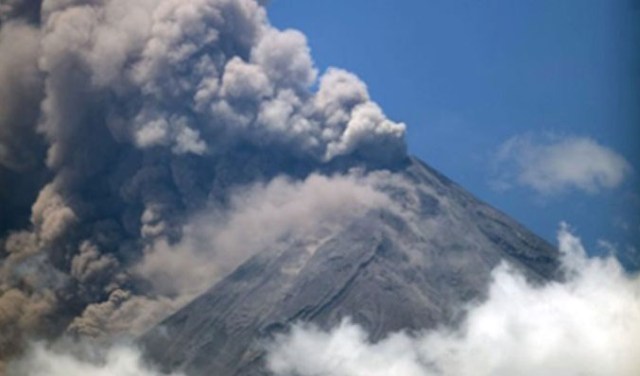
[{"x": 468, "y": 76}]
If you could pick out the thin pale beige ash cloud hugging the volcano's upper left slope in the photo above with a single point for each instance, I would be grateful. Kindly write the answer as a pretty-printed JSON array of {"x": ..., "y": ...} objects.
[{"x": 259, "y": 217}]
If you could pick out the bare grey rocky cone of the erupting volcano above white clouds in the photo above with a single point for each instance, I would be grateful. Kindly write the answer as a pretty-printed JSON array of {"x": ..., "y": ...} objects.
[{"x": 387, "y": 270}]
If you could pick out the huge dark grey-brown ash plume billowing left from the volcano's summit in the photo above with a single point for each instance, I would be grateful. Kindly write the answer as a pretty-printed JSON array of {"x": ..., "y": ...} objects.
[{"x": 120, "y": 119}]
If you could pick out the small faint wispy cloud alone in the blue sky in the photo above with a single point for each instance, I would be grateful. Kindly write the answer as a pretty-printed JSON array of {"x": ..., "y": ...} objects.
[{"x": 552, "y": 165}]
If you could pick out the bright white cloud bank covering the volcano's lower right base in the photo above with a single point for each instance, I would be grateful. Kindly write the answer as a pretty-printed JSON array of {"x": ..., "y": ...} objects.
[{"x": 589, "y": 324}]
